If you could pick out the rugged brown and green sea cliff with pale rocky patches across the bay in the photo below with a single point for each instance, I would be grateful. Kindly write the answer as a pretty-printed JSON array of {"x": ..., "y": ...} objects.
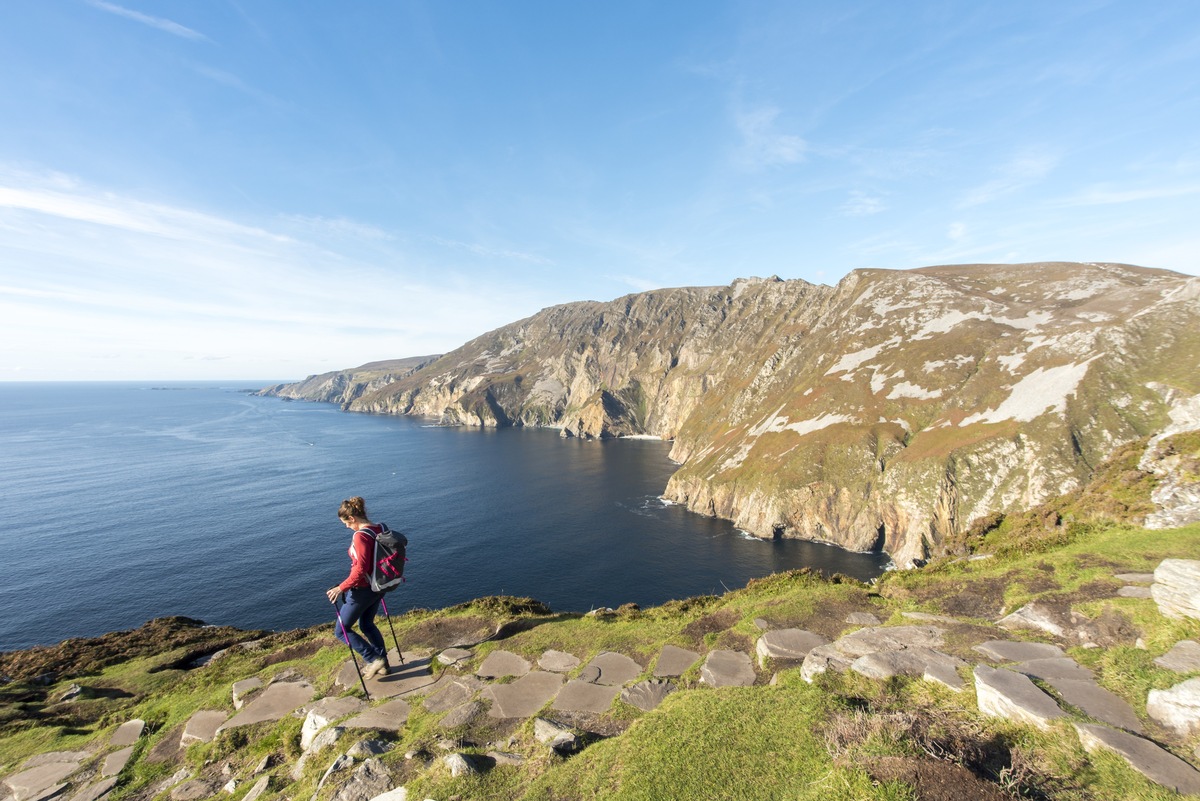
[{"x": 889, "y": 412}]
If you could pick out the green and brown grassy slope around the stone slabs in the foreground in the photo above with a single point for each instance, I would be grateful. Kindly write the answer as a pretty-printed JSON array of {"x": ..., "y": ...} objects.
[{"x": 843, "y": 737}]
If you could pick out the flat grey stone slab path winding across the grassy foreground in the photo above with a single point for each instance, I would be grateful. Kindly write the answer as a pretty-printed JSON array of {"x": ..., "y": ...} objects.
[{"x": 1036, "y": 684}]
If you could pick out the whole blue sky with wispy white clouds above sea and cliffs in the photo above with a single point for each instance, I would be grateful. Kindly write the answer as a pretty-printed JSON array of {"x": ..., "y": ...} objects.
[{"x": 271, "y": 189}]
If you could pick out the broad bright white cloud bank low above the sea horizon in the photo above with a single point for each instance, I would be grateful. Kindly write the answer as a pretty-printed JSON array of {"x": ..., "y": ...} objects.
[{"x": 98, "y": 285}]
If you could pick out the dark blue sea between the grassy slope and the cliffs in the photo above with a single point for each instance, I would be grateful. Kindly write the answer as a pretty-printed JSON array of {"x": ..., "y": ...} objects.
[{"x": 129, "y": 502}]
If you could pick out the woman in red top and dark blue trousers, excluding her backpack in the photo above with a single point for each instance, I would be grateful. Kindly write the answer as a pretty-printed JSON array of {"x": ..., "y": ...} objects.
[{"x": 362, "y": 603}]
